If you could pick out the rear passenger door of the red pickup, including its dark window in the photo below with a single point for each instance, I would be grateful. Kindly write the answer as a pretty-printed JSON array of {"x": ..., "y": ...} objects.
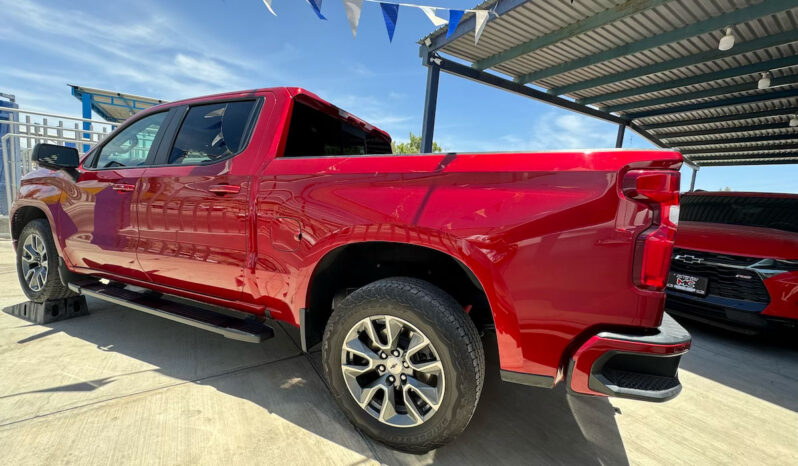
[{"x": 194, "y": 203}]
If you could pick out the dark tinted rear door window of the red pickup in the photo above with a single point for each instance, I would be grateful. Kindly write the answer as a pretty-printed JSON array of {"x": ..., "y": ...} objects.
[{"x": 212, "y": 132}]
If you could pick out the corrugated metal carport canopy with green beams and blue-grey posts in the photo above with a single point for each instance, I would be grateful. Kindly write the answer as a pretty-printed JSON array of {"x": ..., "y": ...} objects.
[{"x": 652, "y": 65}]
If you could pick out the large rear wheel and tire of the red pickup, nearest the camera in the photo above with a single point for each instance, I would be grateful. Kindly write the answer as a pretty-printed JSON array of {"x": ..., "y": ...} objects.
[{"x": 405, "y": 363}]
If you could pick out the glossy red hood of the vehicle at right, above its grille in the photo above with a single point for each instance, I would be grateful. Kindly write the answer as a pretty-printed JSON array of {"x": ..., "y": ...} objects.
[{"x": 737, "y": 240}]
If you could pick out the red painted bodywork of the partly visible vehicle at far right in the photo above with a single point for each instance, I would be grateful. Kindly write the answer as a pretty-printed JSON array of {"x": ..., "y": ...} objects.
[{"x": 748, "y": 241}]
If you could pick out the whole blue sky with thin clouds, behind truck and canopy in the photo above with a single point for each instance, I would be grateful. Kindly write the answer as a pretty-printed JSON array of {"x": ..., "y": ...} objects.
[{"x": 177, "y": 49}]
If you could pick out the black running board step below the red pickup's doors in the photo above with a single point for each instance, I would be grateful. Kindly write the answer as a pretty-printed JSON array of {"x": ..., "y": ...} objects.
[{"x": 249, "y": 330}]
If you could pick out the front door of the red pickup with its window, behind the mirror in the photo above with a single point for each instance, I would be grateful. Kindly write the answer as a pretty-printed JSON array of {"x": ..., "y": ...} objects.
[{"x": 99, "y": 223}]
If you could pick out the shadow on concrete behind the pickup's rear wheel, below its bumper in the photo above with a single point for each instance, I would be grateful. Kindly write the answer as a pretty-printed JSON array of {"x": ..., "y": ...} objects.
[{"x": 516, "y": 424}]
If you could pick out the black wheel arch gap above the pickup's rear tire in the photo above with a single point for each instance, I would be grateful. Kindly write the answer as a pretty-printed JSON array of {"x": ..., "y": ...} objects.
[{"x": 353, "y": 265}]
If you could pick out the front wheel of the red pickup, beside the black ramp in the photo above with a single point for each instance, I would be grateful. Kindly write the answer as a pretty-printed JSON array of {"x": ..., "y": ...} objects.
[{"x": 37, "y": 263}]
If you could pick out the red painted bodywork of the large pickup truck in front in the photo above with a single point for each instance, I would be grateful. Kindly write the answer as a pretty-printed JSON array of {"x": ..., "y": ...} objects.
[{"x": 550, "y": 236}]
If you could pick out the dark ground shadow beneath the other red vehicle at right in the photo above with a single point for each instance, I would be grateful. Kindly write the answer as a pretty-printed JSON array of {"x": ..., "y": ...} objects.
[{"x": 764, "y": 366}]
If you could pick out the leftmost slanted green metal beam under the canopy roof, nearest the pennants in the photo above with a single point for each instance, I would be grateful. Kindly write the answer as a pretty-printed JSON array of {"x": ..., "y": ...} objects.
[{"x": 591, "y": 22}]
